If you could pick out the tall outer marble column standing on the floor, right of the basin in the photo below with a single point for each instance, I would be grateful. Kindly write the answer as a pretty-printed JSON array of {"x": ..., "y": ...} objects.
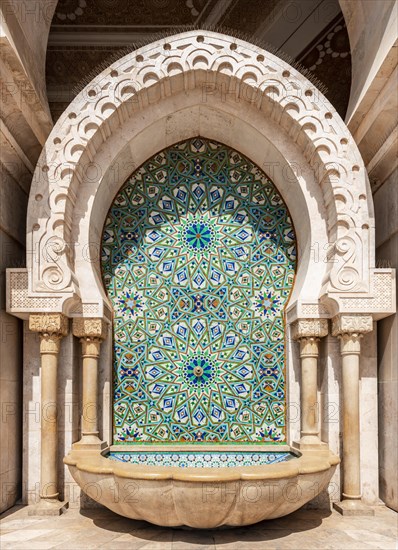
[{"x": 350, "y": 329}]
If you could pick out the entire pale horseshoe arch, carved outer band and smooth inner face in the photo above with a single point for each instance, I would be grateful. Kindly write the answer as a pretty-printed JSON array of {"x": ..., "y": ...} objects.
[{"x": 201, "y": 83}]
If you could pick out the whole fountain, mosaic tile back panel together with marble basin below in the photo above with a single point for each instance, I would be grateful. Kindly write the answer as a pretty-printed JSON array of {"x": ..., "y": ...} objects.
[{"x": 198, "y": 260}]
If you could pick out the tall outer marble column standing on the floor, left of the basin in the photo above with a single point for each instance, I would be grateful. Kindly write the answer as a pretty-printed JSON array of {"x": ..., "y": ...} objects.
[{"x": 52, "y": 327}]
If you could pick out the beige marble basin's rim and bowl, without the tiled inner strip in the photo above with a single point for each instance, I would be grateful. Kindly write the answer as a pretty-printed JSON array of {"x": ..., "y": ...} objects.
[{"x": 202, "y": 498}]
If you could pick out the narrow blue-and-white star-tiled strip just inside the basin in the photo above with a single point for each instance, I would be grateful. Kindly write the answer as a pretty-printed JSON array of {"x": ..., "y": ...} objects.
[{"x": 201, "y": 460}]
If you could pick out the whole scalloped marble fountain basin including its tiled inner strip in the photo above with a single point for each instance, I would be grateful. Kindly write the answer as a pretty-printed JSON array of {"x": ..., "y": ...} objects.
[{"x": 202, "y": 488}]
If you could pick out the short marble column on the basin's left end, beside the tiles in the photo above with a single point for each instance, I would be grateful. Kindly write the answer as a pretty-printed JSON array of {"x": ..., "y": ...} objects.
[{"x": 91, "y": 332}]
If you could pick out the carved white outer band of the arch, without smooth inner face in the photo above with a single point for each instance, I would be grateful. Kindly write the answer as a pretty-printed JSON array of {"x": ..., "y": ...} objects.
[{"x": 241, "y": 74}]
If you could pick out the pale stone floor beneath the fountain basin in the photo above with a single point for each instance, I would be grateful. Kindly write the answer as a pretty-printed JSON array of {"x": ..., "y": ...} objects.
[{"x": 303, "y": 530}]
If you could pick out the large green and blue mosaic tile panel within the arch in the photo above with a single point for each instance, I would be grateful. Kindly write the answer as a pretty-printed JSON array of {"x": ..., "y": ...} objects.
[{"x": 198, "y": 259}]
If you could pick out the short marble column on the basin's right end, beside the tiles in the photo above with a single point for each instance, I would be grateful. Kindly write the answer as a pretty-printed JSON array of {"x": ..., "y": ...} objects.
[{"x": 308, "y": 332}]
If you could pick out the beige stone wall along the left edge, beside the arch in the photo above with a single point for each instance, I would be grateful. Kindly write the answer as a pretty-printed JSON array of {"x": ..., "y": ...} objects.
[{"x": 25, "y": 125}]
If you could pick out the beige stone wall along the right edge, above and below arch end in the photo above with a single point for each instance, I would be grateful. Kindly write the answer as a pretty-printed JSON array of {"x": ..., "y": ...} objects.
[{"x": 373, "y": 120}]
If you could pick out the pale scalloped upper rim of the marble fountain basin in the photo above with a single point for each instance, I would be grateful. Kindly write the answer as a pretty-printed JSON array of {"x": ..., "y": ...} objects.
[{"x": 308, "y": 463}]
